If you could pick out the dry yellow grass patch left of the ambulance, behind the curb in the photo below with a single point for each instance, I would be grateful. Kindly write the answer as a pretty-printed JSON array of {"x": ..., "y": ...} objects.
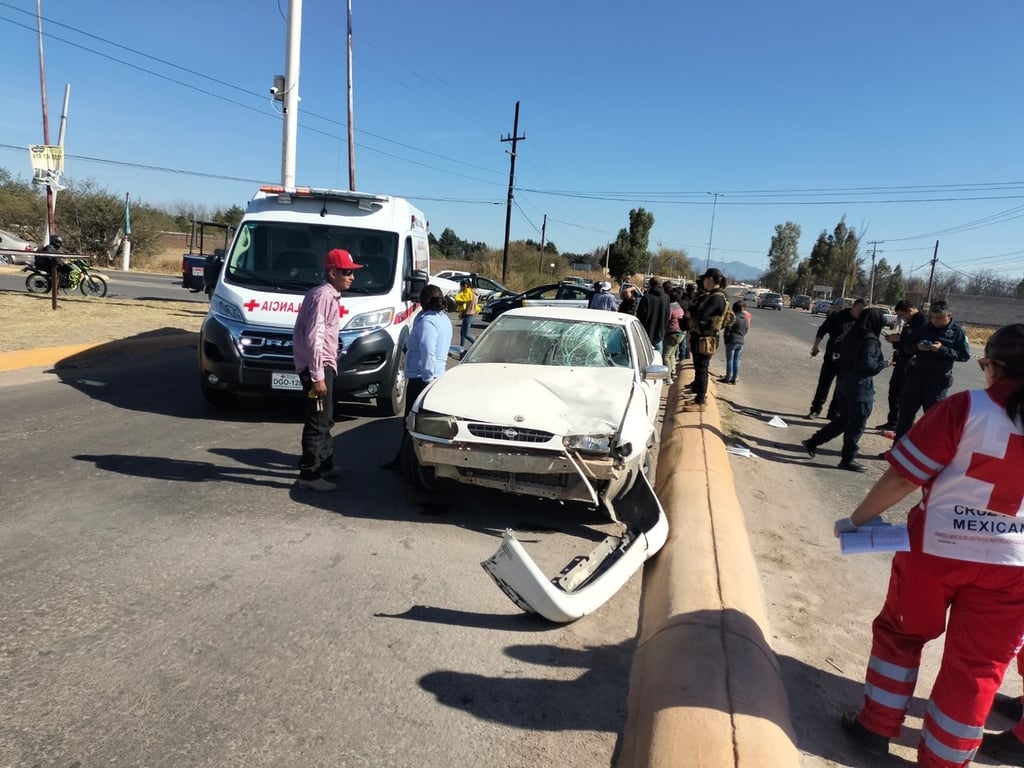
[{"x": 31, "y": 322}]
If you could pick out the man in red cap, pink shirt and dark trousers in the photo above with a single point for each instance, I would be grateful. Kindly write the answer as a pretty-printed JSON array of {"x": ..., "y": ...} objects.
[{"x": 315, "y": 346}]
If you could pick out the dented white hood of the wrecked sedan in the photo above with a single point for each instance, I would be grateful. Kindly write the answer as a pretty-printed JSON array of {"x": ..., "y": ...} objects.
[{"x": 562, "y": 401}]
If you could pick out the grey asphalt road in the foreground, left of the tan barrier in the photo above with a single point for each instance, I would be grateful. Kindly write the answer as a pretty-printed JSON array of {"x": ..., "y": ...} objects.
[{"x": 168, "y": 599}]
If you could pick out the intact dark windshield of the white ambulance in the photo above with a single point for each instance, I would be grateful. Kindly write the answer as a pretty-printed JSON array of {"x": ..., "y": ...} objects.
[{"x": 289, "y": 257}]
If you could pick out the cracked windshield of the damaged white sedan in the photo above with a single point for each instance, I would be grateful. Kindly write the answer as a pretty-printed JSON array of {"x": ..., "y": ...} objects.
[{"x": 536, "y": 342}]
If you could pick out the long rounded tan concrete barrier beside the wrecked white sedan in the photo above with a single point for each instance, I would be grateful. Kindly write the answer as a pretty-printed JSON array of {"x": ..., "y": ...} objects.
[{"x": 706, "y": 689}]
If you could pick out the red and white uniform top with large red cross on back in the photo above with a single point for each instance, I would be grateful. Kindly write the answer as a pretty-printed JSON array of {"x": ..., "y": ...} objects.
[{"x": 969, "y": 458}]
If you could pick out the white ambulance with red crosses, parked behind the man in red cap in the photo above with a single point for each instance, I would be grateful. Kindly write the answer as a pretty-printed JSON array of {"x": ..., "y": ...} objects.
[{"x": 278, "y": 253}]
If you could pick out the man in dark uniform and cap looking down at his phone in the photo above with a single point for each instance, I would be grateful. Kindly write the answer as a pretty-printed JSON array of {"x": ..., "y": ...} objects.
[{"x": 940, "y": 344}]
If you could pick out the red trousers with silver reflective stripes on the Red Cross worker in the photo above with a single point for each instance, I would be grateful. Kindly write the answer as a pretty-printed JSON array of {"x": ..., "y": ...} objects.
[{"x": 987, "y": 623}]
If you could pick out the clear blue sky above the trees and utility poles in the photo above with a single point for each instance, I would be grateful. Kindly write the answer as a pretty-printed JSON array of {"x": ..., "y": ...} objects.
[{"x": 907, "y": 117}]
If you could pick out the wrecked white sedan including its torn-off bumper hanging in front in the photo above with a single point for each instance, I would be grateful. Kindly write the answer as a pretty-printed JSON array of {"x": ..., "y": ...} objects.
[{"x": 560, "y": 404}]
